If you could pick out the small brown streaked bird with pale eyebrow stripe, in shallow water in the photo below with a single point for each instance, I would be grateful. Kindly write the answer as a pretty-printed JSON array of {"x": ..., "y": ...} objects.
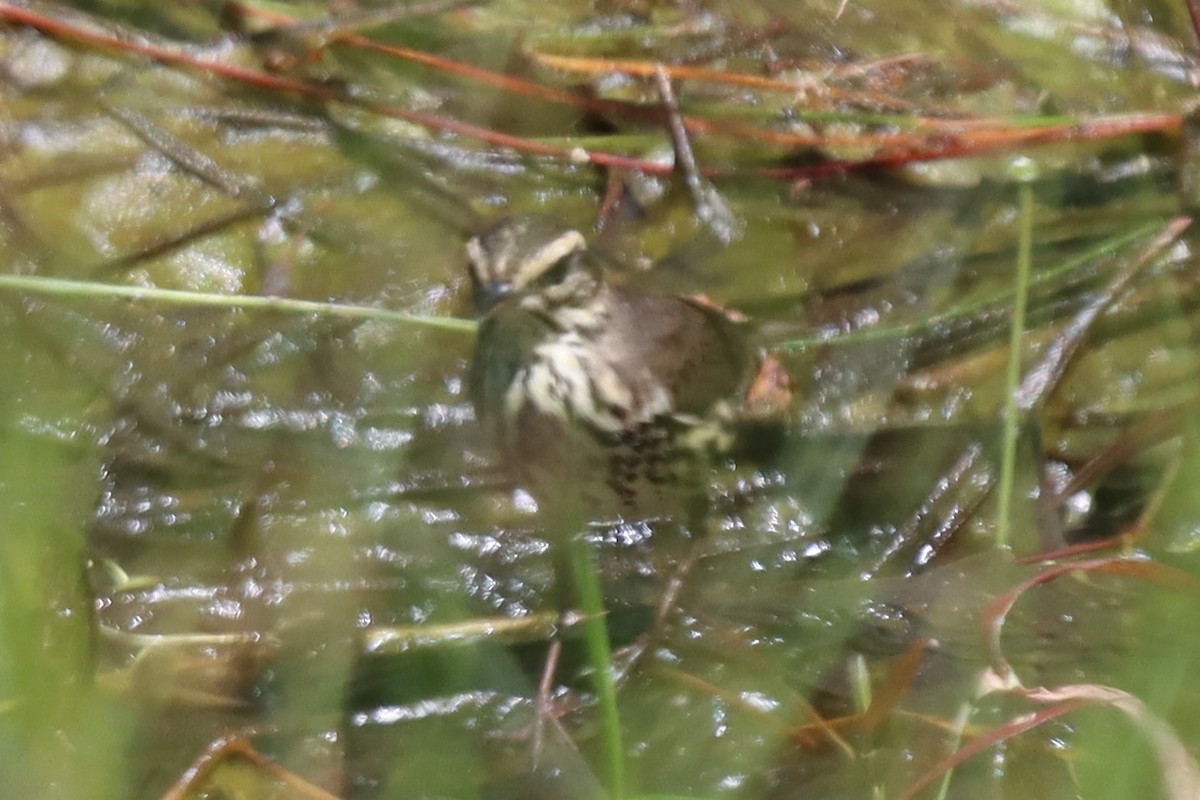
[{"x": 599, "y": 393}]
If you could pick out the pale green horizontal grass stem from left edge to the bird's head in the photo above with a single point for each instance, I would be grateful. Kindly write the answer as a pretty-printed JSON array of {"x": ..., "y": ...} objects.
[{"x": 87, "y": 290}]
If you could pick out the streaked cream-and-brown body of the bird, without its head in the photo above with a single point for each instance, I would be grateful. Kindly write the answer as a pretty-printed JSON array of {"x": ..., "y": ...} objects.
[{"x": 622, "y": 400}]
